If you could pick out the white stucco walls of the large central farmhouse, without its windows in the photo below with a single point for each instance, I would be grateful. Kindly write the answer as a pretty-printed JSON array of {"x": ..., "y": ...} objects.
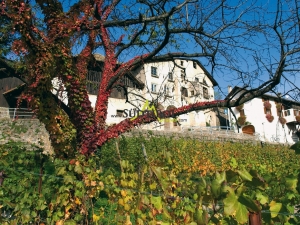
[{"x": 174, "y": 99}]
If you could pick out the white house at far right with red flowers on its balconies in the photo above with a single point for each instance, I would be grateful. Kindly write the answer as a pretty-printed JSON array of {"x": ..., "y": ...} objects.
[{"x": 274, "y": 118}]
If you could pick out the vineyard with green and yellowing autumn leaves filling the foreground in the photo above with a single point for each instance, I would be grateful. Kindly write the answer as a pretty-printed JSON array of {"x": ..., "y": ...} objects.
[{"x": 152, "y": 180}]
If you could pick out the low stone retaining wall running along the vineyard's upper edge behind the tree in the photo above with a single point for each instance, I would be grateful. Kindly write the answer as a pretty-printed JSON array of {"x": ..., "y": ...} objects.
[{"x": 31, "y": 131}]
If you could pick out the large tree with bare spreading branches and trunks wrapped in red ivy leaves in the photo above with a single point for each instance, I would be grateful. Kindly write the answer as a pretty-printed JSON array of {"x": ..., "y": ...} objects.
[{"x": 255, "y": 44}]
